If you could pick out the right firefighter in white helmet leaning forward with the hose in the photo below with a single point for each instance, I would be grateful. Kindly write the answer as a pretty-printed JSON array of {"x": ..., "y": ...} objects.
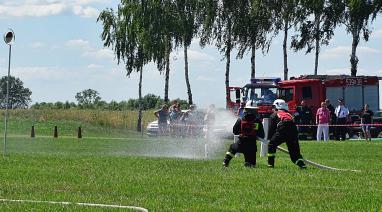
[{"x": 283, "y": 129}]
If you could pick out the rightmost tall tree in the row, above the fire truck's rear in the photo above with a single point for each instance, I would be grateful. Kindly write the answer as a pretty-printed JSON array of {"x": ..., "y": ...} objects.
[{"x": 357, "y": 16}]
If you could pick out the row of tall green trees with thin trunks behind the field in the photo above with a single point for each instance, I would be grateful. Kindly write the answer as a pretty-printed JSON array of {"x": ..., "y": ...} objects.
[{"x": 143, "y": 31}]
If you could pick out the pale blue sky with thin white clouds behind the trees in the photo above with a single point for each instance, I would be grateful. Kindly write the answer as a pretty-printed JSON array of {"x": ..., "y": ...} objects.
[{"x": 58, "y": 52}]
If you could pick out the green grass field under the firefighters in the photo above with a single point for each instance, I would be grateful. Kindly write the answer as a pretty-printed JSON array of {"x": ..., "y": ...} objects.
[{"x": 162, "y": 174}]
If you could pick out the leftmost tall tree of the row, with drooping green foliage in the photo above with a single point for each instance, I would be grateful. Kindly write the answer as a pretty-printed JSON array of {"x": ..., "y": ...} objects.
[{"x": 125, "y": 32}]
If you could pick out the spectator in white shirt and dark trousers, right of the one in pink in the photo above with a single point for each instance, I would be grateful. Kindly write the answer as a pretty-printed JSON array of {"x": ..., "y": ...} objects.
[{"x": 342, "y": 114}]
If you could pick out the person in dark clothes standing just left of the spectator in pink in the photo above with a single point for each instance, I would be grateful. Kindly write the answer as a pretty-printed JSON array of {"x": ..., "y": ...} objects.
[{"x": 305, "y": 117}]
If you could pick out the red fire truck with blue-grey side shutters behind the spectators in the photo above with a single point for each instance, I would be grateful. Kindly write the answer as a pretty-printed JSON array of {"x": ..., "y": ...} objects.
[{"x": 355, "y": 91}]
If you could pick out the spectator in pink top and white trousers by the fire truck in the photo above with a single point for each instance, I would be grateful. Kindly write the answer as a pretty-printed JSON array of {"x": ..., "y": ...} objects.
[{"x": 322, "y": 121}]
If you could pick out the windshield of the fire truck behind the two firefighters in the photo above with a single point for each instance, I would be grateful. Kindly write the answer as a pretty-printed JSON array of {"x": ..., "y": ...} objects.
[{"x": 262, "y": 96}]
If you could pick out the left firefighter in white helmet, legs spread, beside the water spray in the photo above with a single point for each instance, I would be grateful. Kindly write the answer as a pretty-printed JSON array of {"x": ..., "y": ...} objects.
[{"x": 248, "y": 128}]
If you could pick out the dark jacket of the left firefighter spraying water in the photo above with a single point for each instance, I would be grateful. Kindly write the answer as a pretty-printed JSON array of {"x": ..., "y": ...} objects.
[{"x": 237, "y": 128}]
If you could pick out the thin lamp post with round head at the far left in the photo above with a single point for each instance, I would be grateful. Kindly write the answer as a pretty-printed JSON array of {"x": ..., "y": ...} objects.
[{"x": 9, "y": 38}]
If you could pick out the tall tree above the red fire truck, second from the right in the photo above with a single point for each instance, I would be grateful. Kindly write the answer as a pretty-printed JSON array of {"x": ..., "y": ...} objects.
[{"x": 321, "y": 19}]
